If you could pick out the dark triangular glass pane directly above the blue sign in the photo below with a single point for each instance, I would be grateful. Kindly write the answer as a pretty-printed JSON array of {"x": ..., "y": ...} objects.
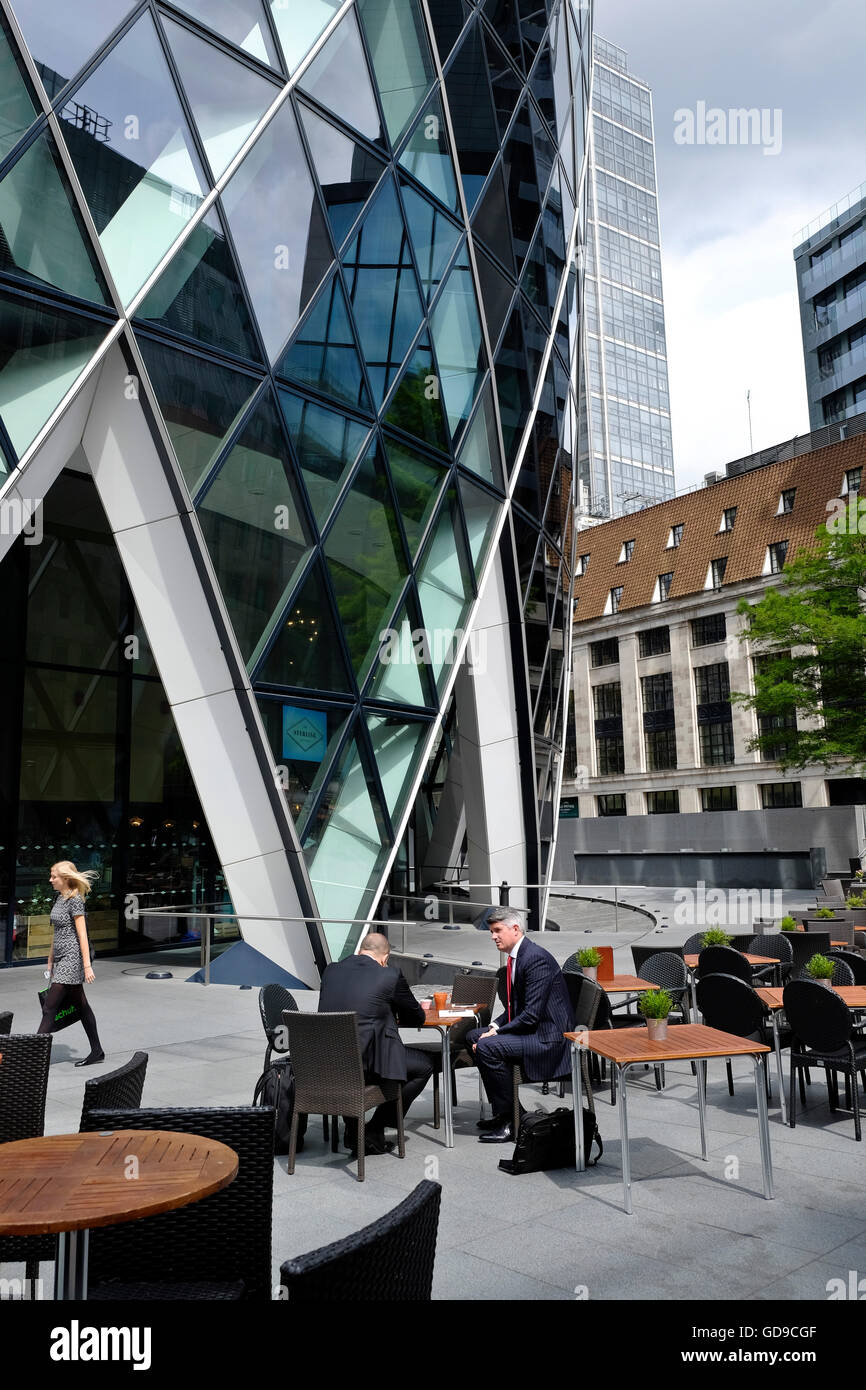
[{"x": 308, "y": 651}]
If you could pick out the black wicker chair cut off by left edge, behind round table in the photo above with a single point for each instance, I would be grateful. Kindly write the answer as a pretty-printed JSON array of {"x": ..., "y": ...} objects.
[{"x": 24, "y": 1082}]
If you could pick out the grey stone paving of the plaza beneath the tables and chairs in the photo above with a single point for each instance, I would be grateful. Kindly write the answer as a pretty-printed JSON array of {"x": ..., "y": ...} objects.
[{"x": 700, "y": 1231}]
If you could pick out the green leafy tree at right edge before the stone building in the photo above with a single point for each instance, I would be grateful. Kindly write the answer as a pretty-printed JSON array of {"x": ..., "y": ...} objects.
[{"x": 810, "y": 633}]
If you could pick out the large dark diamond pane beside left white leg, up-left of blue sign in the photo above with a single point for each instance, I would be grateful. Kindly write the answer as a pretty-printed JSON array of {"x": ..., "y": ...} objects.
[{"x": 252, "y": 525}]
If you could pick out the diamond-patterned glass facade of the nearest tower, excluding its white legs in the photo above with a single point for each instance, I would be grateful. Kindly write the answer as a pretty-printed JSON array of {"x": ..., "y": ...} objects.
[{"x": 351, "y": 291}]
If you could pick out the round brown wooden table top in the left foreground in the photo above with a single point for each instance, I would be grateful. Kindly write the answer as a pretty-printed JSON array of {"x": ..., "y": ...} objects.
[{"x": 73, "y": 1182}]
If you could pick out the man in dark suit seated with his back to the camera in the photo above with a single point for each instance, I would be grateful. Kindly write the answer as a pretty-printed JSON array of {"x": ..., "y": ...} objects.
[{"x": 377, "y": 992}]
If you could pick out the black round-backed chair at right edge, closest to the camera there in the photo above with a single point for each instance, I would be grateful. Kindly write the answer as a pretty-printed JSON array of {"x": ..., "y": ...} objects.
[{"x": 824, "y": 1036}]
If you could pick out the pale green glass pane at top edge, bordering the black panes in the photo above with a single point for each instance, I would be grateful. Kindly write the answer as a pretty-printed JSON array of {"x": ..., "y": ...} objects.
[{"x": 401, "y": 59}]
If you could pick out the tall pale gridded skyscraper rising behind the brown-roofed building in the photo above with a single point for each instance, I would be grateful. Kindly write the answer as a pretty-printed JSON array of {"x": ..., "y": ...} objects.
[{"x": 626, "y": 452}]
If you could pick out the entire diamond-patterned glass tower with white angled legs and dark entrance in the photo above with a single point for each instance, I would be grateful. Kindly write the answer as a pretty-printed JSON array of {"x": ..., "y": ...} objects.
[{"x": 290, "y": 336}]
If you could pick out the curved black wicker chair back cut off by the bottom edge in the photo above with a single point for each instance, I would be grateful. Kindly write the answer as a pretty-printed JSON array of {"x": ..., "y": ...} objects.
[{"x": 389, "y": 1261}]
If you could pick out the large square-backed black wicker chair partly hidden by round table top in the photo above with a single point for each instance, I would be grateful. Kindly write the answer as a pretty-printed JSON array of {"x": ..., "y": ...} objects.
[{"x": 213, "y": 1250}]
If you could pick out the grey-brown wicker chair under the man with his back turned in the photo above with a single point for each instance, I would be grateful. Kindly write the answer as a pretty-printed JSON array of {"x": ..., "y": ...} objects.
[{"x": 330, "y": 1079}]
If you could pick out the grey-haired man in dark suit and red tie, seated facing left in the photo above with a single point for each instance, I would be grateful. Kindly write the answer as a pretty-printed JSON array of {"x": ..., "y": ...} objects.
[{"x": 530, "y": 1032}]
